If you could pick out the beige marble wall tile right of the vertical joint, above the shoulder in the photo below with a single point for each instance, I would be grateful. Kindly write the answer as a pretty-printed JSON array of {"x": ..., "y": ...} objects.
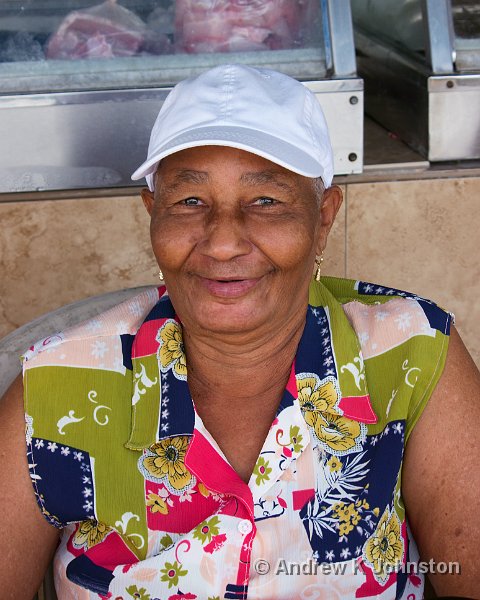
[{"x": 422, "y": 236}]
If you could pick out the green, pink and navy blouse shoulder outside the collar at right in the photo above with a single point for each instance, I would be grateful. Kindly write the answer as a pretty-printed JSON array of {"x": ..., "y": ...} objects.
[{"x": 403, "y": 339}]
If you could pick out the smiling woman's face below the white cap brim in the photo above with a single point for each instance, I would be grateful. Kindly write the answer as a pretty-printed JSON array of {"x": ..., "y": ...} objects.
[{"x": 235, "y": 236}]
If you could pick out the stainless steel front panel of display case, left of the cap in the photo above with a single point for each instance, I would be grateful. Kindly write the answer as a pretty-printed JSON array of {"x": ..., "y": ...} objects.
[{"x": 74, "y": 140}]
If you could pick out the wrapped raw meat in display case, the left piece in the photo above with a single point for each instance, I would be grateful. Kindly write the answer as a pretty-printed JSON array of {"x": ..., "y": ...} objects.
[{"x": 103, "y": 31}]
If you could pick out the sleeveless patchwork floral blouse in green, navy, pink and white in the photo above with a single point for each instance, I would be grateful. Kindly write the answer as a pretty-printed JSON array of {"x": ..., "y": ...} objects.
[{"x": 150, "y": 508}]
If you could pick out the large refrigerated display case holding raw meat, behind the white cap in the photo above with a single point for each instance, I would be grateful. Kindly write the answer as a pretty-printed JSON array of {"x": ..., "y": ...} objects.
[{"x": 81, "y": 82}]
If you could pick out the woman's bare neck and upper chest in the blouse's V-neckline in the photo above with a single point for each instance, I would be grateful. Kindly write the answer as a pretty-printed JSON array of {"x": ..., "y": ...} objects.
[{"x": 237, "y": 384}]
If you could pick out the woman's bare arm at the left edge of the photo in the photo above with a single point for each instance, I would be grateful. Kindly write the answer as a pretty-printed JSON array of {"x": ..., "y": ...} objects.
[{"x": 27, "y": 541}]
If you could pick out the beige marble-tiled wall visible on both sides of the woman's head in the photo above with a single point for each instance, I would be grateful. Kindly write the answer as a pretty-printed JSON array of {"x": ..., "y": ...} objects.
[{"x": 416, "y": 235}]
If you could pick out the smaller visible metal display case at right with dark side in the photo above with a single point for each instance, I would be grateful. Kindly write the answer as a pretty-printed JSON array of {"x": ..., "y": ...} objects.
[{"x": 420, "y": 60}]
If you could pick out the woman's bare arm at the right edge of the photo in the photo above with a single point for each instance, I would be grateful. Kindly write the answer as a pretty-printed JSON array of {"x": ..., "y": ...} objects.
[{"x": 441, "y": 475}]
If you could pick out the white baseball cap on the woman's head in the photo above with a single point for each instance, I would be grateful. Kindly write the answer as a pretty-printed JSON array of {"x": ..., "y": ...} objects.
[{"x": 257, "y": 110}]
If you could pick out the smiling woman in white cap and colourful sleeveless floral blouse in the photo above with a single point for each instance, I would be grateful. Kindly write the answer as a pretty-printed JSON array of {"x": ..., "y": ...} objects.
[{"x": 278, "y": 470}]
